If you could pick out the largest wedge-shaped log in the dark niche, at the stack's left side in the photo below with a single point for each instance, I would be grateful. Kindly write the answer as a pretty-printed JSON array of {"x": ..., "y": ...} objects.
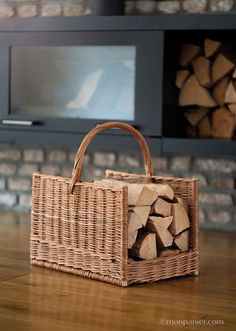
[{"x": 192, "y": 93}]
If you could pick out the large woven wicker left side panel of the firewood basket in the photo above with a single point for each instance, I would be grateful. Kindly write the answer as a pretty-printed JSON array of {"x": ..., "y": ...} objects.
[{"x": 85, "y": 230}]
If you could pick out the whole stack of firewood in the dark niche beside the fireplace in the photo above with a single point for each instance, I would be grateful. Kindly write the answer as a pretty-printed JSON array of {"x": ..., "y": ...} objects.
[{"x": 207, "y": 83}]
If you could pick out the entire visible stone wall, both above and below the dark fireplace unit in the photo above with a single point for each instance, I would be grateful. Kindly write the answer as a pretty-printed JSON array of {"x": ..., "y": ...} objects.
[{"x": 17, "y": 163}]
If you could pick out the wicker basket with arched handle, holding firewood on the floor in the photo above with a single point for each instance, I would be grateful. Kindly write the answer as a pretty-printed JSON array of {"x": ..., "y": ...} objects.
[{"x": 81, "y": 227}]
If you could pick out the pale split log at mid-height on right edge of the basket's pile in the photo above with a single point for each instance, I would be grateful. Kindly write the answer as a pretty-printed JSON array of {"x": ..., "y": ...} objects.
[{"x": 180, "y": 219}]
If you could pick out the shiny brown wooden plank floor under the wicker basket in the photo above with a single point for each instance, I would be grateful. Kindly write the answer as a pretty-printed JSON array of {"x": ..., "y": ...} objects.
[{"x": 34, "y": 298}]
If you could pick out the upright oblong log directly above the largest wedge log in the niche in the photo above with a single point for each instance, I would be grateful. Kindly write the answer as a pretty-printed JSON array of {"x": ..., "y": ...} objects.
[{"x": 201, "y": 68}]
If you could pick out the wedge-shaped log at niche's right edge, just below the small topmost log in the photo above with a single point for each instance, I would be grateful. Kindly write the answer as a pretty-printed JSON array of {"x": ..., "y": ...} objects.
[{"x": 221, "y": 67}]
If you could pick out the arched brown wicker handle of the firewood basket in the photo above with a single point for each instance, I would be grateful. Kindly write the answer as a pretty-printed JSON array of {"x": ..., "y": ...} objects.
[{"x": 77, "y": 170}]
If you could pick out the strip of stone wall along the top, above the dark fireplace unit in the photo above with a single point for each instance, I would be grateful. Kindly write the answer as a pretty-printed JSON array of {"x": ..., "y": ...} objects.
[{"x": 47, "y": 8}]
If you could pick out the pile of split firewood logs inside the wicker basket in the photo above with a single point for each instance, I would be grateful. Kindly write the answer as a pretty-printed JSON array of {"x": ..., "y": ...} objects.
[{"x": 158, "y": 220}]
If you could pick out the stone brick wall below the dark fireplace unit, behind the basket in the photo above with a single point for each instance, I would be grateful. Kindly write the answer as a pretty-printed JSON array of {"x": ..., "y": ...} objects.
[{"x": 217, "y": 177}]
